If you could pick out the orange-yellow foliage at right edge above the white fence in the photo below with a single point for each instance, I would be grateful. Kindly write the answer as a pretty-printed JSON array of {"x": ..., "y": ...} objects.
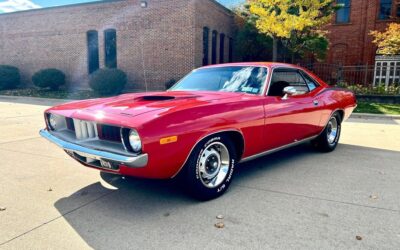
[{"x": 388, "y": 41}]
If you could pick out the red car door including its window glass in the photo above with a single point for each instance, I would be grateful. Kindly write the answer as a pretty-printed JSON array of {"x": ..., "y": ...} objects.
[{"x": 289, "y": 119}]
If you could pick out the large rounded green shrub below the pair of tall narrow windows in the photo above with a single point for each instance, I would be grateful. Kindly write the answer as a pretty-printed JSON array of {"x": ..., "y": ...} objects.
[{"x": 108, "y": 81}]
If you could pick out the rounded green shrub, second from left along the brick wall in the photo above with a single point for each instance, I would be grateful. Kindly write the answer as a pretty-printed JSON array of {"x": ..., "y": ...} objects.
[{"x": 49, "y": 78}]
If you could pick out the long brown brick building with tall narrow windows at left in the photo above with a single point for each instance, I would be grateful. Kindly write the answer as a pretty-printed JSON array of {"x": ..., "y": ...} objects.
[{"x": 153, "y": 41}]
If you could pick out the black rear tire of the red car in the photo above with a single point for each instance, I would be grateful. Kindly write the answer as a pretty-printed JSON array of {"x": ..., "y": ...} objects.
[{"x": 323, "y": 142}]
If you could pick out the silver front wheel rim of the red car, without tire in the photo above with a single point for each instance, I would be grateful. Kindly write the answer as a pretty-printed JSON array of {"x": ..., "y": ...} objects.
[{"x": 213, "y": 164}]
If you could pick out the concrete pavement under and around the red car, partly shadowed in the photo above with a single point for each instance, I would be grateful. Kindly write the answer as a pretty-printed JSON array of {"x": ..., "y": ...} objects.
[{"x": 294, "y": 199}]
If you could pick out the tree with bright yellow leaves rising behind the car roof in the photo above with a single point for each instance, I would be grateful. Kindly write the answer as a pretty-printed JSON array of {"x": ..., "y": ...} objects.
[{"x": 298, "y": 24}]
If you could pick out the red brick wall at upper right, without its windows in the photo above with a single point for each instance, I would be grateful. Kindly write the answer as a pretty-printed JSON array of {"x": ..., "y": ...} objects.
[{"x": 351, "y": 44}]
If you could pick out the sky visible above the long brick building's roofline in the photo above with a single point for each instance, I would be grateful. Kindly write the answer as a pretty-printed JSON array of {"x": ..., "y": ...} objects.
[{"x": 17, "y": 5}]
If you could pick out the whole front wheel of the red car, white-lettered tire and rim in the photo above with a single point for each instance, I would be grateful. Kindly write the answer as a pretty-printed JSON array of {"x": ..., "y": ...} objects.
[{"x": 209, "y": 169}]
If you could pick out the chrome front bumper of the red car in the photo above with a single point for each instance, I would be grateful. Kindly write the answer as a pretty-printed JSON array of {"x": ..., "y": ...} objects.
[{"x": 95, "y": 154}]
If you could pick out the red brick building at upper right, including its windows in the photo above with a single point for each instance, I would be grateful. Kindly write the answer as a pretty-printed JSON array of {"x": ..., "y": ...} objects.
[{"x": 350, "y": 42}]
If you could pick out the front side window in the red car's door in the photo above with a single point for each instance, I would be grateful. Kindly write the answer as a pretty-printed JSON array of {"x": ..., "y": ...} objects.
[{"x": 282, "y": 78}]
